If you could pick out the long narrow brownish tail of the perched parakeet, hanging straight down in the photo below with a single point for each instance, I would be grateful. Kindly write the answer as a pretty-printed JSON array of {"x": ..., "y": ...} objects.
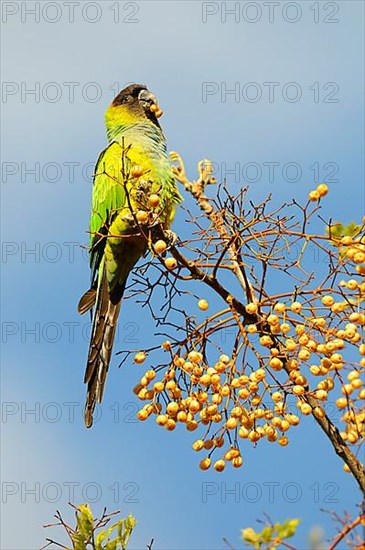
[{"x": 100, "y": 350}]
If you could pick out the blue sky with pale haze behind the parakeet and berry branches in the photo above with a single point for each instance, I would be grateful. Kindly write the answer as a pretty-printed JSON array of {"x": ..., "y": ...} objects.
[{"x": 120, "y": 463}]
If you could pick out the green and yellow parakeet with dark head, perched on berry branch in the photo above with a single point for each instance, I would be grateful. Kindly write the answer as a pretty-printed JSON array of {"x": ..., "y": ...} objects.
[{"x": 132, "y": 168}]
